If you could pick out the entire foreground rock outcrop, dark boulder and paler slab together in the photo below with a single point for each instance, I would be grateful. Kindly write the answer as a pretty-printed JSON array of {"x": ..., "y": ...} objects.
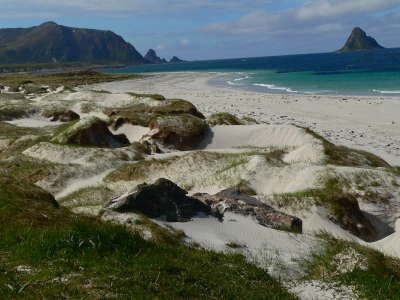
[{"x": 165, "y": 198}]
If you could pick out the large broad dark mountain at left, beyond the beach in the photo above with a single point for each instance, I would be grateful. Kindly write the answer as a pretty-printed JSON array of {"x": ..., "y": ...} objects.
[{"x": 51, "y": 42}]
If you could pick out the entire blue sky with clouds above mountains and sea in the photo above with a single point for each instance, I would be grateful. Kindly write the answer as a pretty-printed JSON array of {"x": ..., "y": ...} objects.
[{"x": 207, "y": 29}]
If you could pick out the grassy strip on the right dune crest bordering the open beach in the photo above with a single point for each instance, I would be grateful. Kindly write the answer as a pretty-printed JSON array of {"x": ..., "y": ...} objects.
[{"x": 343, "y": 156}]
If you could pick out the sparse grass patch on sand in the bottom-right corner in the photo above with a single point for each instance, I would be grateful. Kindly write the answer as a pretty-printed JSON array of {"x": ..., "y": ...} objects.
[{"x": 380, "y": 280}]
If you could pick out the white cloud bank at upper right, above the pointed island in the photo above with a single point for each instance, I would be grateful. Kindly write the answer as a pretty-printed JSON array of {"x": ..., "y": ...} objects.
[{"x": 315, "y": 15}]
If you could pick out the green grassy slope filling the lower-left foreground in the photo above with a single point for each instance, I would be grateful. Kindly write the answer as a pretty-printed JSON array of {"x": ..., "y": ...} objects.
[{"x": 51, "y": 253}]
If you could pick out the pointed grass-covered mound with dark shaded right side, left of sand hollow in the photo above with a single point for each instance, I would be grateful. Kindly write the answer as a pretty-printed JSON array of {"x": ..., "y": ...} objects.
[{"x": 90, "y": 132}]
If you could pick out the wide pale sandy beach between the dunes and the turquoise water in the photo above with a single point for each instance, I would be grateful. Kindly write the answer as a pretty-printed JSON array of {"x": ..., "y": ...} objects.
[{"x": 363, "y": 122}]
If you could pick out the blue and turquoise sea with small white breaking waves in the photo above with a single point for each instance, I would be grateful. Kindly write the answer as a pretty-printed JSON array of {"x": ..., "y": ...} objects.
[{"x": 352, "y": 73}]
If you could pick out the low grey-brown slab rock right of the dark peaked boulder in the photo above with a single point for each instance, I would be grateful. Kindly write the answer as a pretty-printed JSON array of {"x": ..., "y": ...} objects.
[{"x": 234, "y": 201}]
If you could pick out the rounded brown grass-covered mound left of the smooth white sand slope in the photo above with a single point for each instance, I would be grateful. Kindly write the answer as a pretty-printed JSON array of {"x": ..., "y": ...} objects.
[{"x": 181, "y": 132}]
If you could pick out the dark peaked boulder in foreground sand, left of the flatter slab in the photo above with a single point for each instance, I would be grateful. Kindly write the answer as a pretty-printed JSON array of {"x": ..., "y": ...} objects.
[{"x": 163, "y": 198}]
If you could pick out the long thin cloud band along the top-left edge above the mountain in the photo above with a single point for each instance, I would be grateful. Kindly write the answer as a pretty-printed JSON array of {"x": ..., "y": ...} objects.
[{"x": 126, "y": 8}]
